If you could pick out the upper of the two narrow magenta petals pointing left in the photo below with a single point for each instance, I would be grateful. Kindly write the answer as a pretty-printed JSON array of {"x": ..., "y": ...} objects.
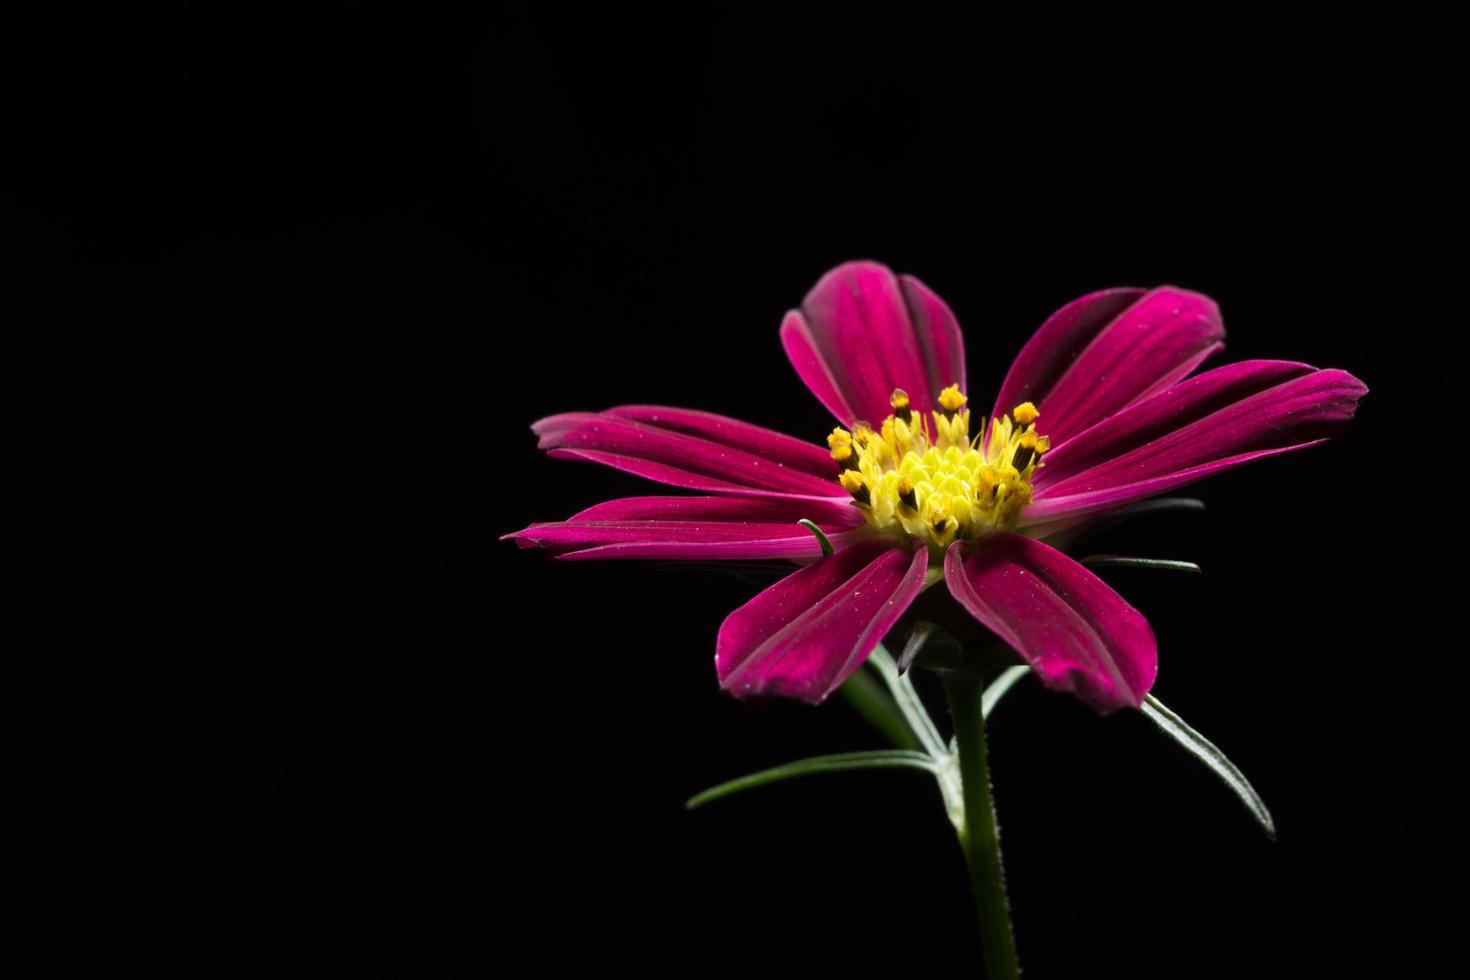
[{"x": 696, "y": 450}]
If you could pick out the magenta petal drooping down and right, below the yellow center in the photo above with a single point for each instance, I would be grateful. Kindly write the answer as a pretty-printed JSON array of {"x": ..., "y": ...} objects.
[{"x": 1077, "y": 634}]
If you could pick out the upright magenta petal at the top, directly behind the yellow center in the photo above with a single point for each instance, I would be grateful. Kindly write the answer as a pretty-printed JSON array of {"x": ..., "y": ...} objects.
[{"x": 862, "y": 333}]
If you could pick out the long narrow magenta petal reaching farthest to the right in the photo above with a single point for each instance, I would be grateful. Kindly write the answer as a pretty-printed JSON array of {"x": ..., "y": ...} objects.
[{"x": 1213, "y": 422}]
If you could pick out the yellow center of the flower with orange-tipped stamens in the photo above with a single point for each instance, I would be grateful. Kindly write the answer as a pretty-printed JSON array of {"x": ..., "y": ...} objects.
[{"x": 924, "y": 477}]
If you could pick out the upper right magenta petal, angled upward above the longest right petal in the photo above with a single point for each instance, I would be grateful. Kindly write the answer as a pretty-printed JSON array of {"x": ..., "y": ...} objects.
[{"x": 1108, "y": 350}]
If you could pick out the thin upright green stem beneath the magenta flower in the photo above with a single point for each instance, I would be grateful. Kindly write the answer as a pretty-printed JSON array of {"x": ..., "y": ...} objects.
[{"x": 980, "y": 835}]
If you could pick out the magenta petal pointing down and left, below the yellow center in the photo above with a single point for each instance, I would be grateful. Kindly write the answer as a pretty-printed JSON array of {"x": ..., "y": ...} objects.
[{"x": 803, "y": 637}]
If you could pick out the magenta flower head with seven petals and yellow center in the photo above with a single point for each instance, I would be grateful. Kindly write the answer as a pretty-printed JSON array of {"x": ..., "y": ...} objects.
[{"x": 1099, "y": 411}]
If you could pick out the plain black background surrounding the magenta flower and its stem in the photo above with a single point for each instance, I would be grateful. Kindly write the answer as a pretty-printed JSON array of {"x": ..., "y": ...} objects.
[{"x": 287, "y": 290}]
